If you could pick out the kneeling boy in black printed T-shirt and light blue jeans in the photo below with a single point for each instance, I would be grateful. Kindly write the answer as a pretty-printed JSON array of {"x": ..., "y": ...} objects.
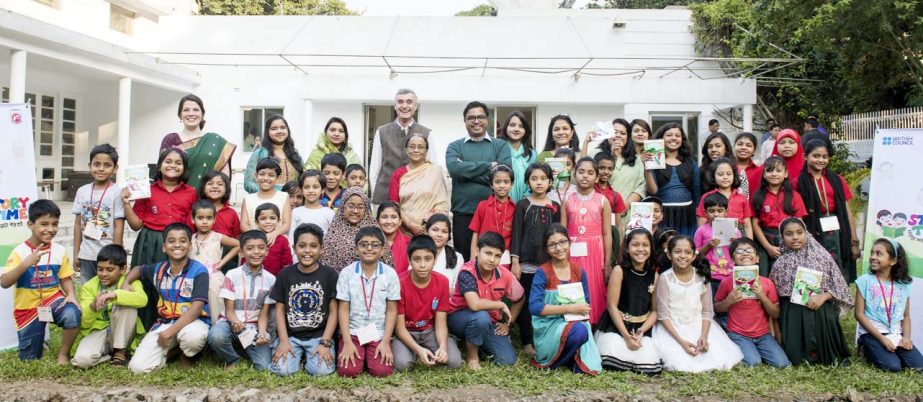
[{"x": 306, "y": 309}]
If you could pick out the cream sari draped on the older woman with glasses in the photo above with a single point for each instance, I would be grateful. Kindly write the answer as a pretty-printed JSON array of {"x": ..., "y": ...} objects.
[{"x": 423, "y": 193}]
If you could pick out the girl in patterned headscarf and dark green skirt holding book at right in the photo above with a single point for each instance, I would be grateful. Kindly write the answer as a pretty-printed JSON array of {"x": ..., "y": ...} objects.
[{"x": 821, "y": 340}]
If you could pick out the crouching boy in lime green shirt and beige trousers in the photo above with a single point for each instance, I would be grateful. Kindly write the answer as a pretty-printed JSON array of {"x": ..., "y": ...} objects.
[{"x": 110, "y": 314}]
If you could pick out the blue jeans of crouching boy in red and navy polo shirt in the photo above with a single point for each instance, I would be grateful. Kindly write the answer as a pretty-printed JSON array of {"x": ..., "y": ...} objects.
[{"x": 477, "y": 328}]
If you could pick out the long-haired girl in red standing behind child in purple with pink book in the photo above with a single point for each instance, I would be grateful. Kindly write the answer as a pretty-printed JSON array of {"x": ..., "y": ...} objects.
[{"x": 722, "y": 175}]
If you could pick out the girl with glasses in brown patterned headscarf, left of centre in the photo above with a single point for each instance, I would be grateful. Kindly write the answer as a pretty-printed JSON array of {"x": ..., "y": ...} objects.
[{"x": 339, "y": 241}]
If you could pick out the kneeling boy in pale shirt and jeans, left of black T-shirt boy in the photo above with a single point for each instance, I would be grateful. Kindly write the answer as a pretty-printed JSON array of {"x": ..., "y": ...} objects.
[{"x": 245, "y": 318}]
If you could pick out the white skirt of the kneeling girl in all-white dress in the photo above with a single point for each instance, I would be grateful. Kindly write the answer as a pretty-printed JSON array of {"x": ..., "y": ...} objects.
[{"x": 723, "y": 354}]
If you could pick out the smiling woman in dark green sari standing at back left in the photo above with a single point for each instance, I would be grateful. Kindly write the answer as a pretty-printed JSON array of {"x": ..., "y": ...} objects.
[{"x": 205, "y": 151}]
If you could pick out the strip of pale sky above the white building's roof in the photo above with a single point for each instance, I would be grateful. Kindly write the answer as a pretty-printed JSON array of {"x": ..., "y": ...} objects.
[{"x": 419, "y": 7}]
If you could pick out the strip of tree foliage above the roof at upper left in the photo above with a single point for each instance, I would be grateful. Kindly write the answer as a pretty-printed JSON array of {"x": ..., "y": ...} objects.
[{"x": 274, "y": 7}]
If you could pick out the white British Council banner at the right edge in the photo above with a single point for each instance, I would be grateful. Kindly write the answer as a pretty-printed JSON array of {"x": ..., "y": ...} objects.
[{"x": 895, "y": 208}]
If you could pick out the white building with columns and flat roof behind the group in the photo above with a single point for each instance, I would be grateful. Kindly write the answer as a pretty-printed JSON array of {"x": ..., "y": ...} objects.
[{"x": 113, "y": 71}]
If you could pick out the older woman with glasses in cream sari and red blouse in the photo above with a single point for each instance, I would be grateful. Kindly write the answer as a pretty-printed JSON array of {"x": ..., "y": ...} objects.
[{"x": 419, "y": 187}]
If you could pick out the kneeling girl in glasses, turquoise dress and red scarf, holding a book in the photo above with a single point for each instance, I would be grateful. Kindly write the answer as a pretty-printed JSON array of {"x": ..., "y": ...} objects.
[{"x": 562, "y": 341}]
